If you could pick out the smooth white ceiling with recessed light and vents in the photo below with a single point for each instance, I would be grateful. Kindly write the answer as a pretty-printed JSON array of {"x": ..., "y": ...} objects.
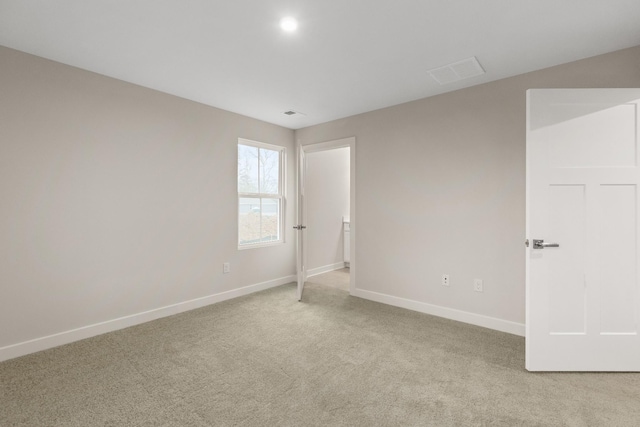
[{"x": 347, "y": 57}]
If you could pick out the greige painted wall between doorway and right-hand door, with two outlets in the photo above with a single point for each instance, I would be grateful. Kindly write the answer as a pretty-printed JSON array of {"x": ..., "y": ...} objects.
[{"x": 440, "y": 188}]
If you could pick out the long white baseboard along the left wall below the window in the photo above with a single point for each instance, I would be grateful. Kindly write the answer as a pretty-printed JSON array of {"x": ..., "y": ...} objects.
[{"x": 66, "y": 337}]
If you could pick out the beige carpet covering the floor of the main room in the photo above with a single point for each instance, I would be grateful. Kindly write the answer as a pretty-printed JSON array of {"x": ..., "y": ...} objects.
[{"x": 331, "y": 360}]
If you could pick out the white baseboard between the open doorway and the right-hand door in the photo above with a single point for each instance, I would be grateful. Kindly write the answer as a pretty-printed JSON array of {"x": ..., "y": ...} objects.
[{"x": 448, "y": 313}]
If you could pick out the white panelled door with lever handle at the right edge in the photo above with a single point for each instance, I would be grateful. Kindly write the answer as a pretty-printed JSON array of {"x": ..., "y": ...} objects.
[{"x": 583, "y": 297}]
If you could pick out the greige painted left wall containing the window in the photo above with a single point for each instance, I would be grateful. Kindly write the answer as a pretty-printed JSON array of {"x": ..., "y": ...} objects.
[{"x": 117, "y": 200}]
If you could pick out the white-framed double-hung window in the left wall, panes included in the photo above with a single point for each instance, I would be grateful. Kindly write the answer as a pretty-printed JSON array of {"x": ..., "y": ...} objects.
[{"x": 260, "y": 193}]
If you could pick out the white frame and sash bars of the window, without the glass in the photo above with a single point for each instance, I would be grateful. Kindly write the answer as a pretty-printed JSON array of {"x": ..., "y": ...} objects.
[{"x": 280, "y": 195}]
